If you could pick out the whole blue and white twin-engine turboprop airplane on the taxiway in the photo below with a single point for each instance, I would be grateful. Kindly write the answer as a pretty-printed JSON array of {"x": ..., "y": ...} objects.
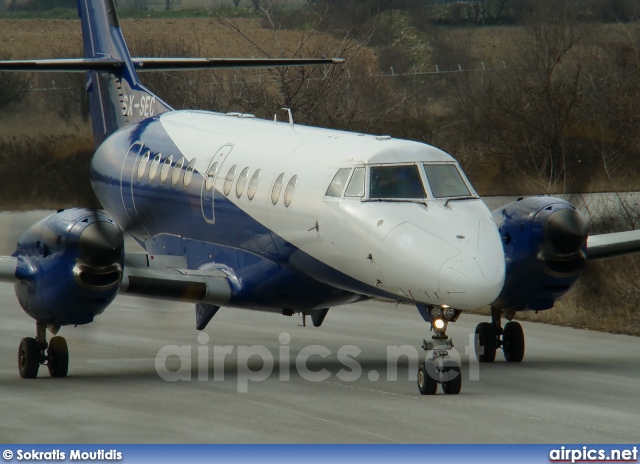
[{"x": 272, "y": 216}]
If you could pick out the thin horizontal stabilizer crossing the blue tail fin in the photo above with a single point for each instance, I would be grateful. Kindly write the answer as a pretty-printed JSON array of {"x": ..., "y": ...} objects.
[{"x": 157, "y": 64}]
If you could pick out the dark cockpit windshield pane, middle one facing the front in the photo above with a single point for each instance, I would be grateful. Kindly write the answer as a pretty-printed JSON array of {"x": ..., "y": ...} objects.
[{"x": 396, "y": 182}]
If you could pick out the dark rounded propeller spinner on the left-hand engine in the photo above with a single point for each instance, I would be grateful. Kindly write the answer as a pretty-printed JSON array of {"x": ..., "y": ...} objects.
[{"x": 101, "y": 244}]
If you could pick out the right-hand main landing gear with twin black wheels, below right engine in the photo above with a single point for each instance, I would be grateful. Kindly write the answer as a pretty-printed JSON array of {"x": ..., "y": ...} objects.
[{"x": 491, "y": 335}]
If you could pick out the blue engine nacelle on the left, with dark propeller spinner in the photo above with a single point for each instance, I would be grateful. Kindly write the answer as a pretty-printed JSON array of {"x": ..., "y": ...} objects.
[{"x": 70, "y": 266}]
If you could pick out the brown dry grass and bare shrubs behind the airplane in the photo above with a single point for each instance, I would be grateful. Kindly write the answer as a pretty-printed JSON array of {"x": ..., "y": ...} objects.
[{"x": 531, "y": 96}]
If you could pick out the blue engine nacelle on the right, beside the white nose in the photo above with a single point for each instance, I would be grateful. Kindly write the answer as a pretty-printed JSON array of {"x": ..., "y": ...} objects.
[{"x": 544, "y": 240}]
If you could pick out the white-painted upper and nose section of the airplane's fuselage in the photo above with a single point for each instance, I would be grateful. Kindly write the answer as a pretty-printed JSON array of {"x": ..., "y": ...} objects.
[{"x": 434, "y": 251}]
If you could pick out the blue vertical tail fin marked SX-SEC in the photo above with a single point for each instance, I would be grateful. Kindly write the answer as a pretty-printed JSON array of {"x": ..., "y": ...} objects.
[{"x": 116, "y": 96}]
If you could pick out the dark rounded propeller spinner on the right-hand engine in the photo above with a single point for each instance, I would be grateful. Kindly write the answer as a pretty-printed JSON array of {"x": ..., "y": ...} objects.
[{"x": 565, "y": 231}]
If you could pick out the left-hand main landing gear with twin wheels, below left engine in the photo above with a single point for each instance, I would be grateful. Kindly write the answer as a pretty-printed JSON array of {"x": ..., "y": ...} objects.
[{"x": 36, "y": 351}]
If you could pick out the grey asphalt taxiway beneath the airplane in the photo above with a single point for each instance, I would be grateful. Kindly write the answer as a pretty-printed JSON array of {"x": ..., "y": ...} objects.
[{"x": 574, "y": 386}]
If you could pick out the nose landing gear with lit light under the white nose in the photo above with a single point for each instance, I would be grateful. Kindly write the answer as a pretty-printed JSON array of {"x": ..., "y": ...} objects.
[{"x": 439, "y": 369}]
